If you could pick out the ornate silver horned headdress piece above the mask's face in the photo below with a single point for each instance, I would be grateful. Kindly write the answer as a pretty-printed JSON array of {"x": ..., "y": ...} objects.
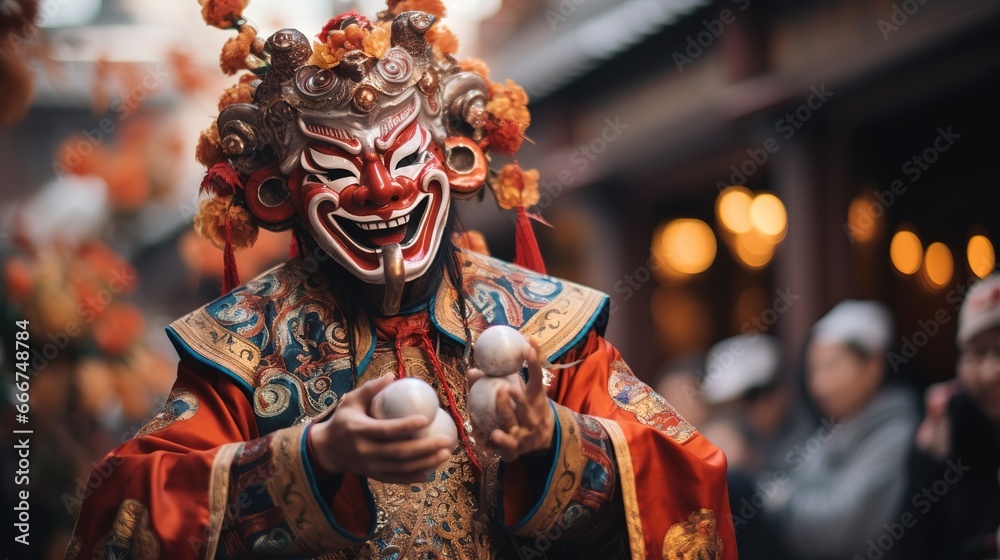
[{"x": 295, "y": 101}]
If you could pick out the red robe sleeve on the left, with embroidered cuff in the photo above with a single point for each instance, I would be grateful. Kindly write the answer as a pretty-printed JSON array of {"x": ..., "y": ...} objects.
[{"x": 199, "y": 482}]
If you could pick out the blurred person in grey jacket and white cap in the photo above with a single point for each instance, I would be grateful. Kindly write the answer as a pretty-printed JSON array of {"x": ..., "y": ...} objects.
[{"x": 846, "y": 480}]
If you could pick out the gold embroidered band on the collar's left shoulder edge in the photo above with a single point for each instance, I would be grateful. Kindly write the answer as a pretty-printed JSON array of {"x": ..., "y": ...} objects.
[{"x": 217, "y": 344}]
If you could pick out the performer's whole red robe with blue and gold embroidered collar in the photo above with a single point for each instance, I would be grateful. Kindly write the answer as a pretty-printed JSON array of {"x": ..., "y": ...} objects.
[{"x": 224, "y": 471}]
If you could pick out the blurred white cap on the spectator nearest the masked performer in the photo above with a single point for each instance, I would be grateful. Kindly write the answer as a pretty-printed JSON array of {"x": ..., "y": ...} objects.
[{"x": 736, "y": 365}]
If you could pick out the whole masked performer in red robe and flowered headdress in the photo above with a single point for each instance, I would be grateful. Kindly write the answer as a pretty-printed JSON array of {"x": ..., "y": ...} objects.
[{"x": 266, "y": 448}]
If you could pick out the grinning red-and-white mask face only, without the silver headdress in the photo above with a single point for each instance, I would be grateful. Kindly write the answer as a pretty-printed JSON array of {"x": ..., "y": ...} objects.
[{"x": 360, "y": 190}]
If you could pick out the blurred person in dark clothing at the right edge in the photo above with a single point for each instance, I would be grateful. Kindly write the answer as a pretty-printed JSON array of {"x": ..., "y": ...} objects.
[{"x": 954, "y": 503}]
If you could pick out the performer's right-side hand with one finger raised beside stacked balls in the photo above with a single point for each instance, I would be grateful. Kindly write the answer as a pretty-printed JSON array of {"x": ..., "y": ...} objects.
[{"x": 529, "y": 425}]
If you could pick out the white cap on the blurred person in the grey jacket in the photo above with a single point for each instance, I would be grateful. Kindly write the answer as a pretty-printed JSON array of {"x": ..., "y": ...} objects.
[{"x": 867, "y": 324}]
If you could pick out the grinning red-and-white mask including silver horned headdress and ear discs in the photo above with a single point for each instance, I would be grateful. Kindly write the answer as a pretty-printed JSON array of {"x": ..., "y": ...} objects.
[{"x": 367, "y": 154}]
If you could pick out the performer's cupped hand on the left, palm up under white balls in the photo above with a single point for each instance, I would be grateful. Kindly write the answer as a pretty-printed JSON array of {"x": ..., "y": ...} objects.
[{"x": 351, "y": 440}]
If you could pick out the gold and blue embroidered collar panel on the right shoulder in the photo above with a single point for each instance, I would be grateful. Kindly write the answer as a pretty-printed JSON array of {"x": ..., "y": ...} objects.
[{"x": 558, "y": 317}]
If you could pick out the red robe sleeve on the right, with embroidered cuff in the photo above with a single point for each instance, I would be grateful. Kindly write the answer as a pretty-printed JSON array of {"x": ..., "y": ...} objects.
[{"x": 624, "y": 463}]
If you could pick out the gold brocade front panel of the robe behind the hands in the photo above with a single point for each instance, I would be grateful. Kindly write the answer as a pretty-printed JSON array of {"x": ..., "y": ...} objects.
[{"x": 442, "y": 518}]
